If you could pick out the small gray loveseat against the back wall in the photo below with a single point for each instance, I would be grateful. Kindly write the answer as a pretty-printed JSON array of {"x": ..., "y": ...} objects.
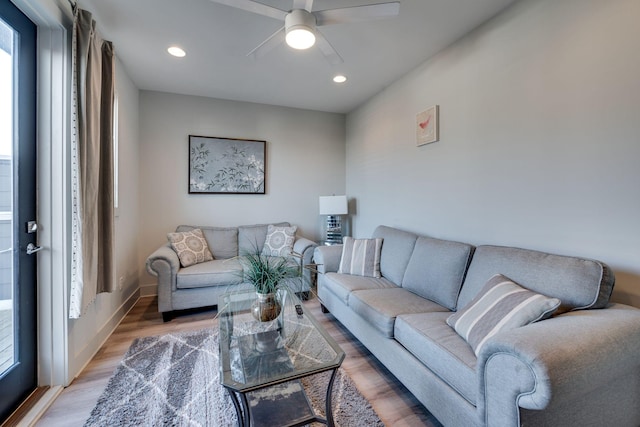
[{"x": 200, "y": 285}]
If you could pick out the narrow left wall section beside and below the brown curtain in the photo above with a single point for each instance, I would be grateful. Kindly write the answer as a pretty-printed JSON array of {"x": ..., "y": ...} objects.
[{"x": 87, "y": 333}]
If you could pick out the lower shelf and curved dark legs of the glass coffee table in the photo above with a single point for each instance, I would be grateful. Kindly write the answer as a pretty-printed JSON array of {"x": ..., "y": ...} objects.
[{"x": 285, "y": 404}]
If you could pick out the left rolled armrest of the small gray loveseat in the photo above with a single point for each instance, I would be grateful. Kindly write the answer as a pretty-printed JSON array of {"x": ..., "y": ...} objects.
[{"x": 164, "y": 264}]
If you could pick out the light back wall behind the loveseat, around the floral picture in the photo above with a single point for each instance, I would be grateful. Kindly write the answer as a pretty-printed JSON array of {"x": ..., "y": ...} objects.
[{"x": 305, "y": 159}]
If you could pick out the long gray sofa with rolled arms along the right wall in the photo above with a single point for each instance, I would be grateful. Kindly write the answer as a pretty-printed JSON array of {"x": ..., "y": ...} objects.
[{"x": 578, "y": 368}]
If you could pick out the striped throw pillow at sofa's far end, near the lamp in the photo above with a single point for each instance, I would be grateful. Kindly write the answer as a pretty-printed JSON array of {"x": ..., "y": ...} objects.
[{"x": 361, "y": 257}]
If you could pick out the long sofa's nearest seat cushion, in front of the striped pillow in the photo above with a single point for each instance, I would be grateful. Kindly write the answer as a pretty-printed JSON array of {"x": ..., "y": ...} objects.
[{"x": 428, "y": 337}]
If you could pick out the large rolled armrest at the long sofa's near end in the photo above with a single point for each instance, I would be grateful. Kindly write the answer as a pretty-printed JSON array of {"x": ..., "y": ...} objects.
[{"x": 561, "y": 358}]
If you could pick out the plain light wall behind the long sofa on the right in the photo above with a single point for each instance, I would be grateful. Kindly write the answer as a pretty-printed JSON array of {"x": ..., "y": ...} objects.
[{"x": 540, "y": 138}]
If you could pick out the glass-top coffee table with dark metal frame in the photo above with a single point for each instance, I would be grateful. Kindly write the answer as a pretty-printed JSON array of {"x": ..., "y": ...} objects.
[{"x": 261, "y": 363}]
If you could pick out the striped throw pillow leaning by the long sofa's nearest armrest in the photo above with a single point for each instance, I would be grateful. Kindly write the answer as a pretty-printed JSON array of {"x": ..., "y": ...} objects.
[{"x": 500, "y": 305}]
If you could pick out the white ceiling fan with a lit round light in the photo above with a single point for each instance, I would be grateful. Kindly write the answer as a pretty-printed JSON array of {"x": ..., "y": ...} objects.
[{"x": 300, "y": 30}]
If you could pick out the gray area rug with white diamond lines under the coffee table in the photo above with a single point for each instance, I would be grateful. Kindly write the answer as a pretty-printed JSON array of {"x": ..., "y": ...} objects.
[{"x": 173, "y": 380}]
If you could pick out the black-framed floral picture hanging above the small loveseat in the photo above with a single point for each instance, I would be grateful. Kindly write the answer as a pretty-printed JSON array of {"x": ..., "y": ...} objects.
[{"x": 226, "y": 165}]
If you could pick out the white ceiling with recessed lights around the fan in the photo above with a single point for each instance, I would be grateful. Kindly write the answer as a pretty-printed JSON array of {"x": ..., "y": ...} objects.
[{"x": 217, "y": 39}]
